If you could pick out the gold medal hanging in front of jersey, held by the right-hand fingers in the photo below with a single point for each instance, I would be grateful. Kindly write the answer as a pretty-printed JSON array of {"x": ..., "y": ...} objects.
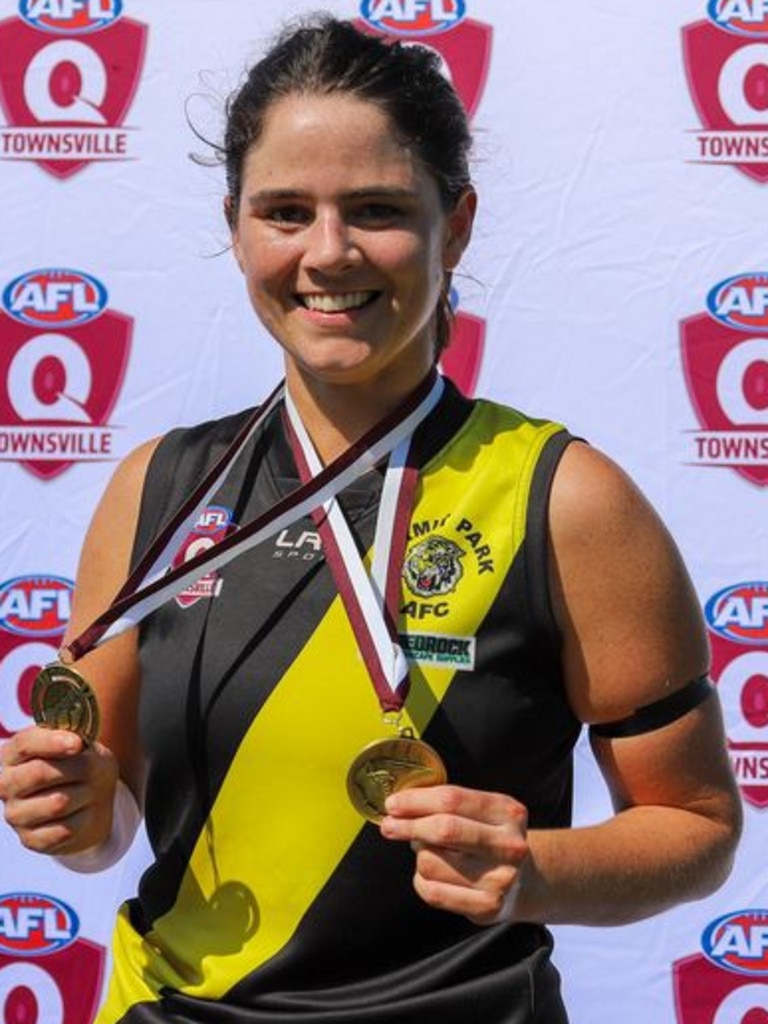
[{"x": 386, "y": 767}]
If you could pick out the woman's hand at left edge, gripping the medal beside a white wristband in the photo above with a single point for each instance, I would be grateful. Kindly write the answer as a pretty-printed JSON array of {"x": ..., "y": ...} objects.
[{"x": 59, "y": 793}]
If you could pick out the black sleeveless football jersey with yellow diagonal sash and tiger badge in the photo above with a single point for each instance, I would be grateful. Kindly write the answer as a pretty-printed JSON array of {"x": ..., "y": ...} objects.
[{"x": 271, "y": 900}]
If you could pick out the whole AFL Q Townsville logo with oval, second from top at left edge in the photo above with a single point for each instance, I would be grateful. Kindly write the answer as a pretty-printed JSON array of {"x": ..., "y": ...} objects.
[{"x": 63, "y": 360}]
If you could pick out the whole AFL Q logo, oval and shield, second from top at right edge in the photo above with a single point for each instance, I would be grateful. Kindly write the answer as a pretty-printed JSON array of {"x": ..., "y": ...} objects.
[{"x": 726, "y": 365}]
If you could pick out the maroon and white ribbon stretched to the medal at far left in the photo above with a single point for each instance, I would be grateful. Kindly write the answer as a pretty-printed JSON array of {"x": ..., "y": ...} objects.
[{"x": 153, "y": 582}]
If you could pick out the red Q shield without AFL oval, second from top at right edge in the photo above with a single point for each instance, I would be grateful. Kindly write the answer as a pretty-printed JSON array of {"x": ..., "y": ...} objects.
[{"x": 727, "y": 372}]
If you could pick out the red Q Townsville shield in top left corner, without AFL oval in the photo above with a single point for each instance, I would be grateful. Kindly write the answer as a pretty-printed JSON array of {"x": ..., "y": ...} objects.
[{"x": 66, "y": 98}]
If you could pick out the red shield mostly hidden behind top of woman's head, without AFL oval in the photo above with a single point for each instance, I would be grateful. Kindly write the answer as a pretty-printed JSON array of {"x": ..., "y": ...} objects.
[{"x": 465, "y": 52}]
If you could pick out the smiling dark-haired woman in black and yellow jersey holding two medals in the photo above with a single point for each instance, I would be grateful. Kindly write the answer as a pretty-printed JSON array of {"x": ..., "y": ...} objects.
[{"x": 503, "y": 553}]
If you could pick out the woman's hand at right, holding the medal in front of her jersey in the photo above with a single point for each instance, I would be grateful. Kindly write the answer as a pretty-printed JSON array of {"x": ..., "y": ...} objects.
[{"x": 471, "y": 848}]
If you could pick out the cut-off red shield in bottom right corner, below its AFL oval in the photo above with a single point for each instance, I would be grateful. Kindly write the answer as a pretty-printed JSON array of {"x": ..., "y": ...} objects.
[{"x": 706, "y": 995}]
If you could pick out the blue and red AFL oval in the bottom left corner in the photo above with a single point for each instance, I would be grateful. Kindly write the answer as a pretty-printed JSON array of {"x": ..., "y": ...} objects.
[{"x": 33, "y": 925}]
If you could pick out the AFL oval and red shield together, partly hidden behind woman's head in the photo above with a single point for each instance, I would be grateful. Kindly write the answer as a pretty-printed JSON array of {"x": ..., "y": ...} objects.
[{"x": 462, "y": 44}]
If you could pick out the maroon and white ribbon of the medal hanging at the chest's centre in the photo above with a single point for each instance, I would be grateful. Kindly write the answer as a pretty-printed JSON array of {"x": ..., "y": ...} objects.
[{"x": 371, "y": 601}]
